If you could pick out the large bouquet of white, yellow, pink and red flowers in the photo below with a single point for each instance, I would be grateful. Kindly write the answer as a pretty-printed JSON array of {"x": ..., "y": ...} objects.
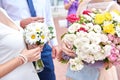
[{"x": 95, "y": 36}]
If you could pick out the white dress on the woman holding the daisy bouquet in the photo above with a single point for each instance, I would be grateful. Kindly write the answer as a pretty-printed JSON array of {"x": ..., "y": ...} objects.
[{"x": 11, "y": 44}]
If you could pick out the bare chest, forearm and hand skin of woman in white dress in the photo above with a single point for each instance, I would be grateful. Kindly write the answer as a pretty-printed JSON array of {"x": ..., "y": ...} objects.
[{"x": 31, "y": 55}]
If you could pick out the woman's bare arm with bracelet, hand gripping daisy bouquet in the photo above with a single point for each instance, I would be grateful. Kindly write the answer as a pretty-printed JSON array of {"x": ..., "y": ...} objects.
[{"x": 25, "y": 56}]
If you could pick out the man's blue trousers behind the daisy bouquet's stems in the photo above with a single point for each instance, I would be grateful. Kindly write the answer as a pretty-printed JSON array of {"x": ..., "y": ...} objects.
[{"x": 48, "y": 62}]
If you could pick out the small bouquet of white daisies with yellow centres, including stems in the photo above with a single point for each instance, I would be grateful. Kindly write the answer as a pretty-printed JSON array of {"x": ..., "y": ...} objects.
[{"x": 38, "y": 34}]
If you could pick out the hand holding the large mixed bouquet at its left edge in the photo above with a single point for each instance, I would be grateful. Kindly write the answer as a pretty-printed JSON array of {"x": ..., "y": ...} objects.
[{"x": 67, "y": 49}]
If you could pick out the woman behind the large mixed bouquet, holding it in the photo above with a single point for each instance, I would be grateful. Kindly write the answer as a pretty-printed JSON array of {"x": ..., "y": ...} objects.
[{"x": 96, "y": 71}]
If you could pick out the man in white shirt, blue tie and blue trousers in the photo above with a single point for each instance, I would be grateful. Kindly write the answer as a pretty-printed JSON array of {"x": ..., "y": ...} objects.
[{"x": 18, "y": 10}]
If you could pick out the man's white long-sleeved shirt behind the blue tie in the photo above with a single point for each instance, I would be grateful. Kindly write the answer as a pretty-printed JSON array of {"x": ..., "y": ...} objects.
[{"x": 18, "y": 9}]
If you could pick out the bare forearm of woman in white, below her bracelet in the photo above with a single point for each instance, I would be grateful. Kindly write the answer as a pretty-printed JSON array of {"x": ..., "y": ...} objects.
[{"x": 9, "y": 66}]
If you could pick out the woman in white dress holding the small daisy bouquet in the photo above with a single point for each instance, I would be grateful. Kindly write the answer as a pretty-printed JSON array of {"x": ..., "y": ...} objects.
[{"x": 15, "y": 59}]
